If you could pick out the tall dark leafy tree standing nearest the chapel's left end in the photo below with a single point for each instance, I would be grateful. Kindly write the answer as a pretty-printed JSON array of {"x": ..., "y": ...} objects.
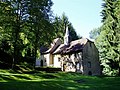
[{"x": 39, "y": 12}]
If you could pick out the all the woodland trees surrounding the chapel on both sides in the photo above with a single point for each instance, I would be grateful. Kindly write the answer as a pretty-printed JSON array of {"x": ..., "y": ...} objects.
[{"x": 27, "y": 25}]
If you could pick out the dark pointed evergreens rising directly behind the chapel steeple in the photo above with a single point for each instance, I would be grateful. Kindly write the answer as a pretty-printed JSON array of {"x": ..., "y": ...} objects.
[{"x": 60, "y": 24}]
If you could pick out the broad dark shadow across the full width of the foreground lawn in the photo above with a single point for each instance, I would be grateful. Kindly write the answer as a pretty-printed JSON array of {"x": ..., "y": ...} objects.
[{"x": 54, "y": 84}]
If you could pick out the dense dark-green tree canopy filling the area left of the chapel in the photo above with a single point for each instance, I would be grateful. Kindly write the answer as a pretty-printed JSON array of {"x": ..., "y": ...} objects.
[{"x": 25, "y": 23}]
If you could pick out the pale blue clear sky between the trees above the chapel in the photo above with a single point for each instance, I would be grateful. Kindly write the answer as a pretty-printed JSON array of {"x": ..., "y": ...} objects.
[{"x": 83, "y": 14}]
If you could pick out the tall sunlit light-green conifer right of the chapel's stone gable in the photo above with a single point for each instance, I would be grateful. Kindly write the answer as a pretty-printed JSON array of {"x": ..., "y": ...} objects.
[{"x": 108, "y": 42}]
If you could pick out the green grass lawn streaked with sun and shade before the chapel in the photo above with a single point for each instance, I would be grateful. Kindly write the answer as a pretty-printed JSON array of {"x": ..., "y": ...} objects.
[{"x": 10, "y": 80}]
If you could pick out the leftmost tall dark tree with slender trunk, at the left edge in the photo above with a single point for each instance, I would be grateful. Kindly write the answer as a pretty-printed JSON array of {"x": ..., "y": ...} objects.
[{"x": 11, "y": 22}]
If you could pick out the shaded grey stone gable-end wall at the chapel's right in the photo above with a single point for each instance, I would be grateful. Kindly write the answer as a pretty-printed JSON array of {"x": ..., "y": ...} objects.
[{"x": 91, "y": 65}]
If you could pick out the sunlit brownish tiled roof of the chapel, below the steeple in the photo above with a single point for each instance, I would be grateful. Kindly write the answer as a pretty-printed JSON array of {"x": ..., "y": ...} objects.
[{"x": 74, "y": 46}]
